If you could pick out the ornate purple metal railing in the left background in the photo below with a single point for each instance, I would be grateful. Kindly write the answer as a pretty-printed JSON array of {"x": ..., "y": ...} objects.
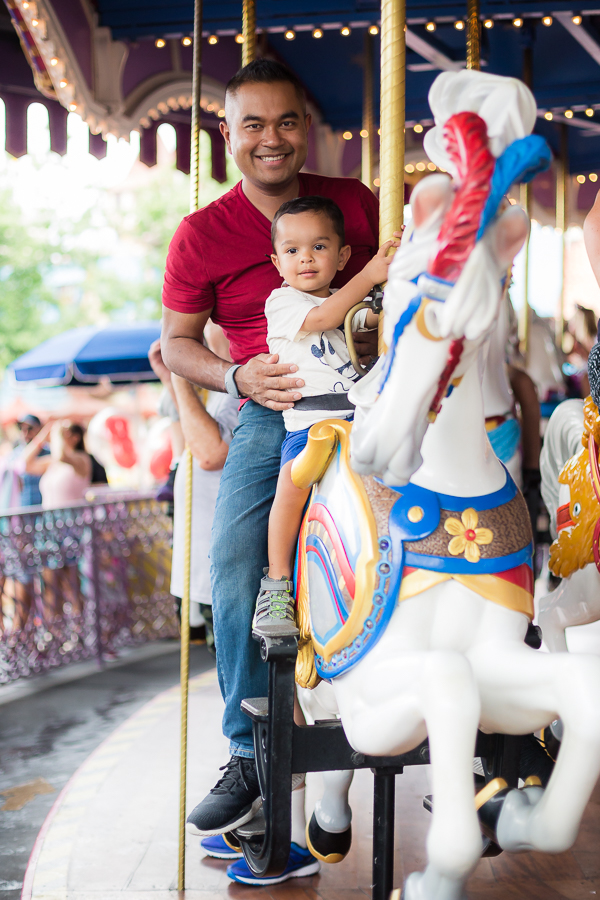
[{"x": 83, "y": 582}]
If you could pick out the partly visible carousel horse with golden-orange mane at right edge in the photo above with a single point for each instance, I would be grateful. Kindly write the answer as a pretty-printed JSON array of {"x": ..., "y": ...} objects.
[{"x": 571, "y": 490}]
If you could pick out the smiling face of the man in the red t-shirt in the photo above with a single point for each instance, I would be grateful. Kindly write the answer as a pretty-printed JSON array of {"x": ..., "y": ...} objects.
[{"x": 266, "y": 132}]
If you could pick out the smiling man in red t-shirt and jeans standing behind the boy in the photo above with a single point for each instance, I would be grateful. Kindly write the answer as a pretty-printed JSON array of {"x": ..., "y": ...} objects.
[{"x": 219, "y": 266}]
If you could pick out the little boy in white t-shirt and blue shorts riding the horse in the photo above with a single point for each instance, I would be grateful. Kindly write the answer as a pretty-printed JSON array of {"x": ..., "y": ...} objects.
[{"x": 305, "y": 326}]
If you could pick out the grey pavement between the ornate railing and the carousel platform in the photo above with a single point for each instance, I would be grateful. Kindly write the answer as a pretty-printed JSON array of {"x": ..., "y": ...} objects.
[{"x": 50, "y": 725}]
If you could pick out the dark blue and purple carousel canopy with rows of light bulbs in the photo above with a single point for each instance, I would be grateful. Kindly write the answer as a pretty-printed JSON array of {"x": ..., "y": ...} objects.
[{"x": 126, "y": 64}]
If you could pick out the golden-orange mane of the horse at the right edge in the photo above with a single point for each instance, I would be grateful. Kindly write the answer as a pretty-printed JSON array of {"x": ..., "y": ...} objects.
[{"x": 573, "y": 549}]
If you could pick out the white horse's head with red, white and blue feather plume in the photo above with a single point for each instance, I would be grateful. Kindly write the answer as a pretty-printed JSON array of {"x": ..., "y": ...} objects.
[{"x": 446, "y": 280}]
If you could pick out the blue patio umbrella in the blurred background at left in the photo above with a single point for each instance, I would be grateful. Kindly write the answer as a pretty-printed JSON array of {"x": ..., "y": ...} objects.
[{"x": 85, "y": 355}]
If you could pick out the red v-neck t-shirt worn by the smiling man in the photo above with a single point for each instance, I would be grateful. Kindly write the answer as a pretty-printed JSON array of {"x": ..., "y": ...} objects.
[{"x": 220, "y": 258}]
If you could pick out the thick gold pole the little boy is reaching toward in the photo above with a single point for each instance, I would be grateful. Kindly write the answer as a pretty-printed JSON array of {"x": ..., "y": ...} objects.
[{"x": 391, "y": 152}]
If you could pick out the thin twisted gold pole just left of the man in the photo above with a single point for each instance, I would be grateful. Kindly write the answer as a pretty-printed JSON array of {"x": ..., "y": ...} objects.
[{"x": 185, "y": 600}]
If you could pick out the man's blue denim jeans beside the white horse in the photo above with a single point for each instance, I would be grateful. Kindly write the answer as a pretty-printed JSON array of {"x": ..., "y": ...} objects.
[{"x": 239, "y": 552}]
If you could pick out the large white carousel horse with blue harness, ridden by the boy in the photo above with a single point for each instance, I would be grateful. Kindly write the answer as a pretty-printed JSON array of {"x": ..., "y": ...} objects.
[{"x": 414, "y": 580}]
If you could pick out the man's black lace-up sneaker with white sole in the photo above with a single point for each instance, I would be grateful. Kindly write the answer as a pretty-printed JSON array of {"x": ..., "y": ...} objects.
[{"x": 234, "y": 800}]
